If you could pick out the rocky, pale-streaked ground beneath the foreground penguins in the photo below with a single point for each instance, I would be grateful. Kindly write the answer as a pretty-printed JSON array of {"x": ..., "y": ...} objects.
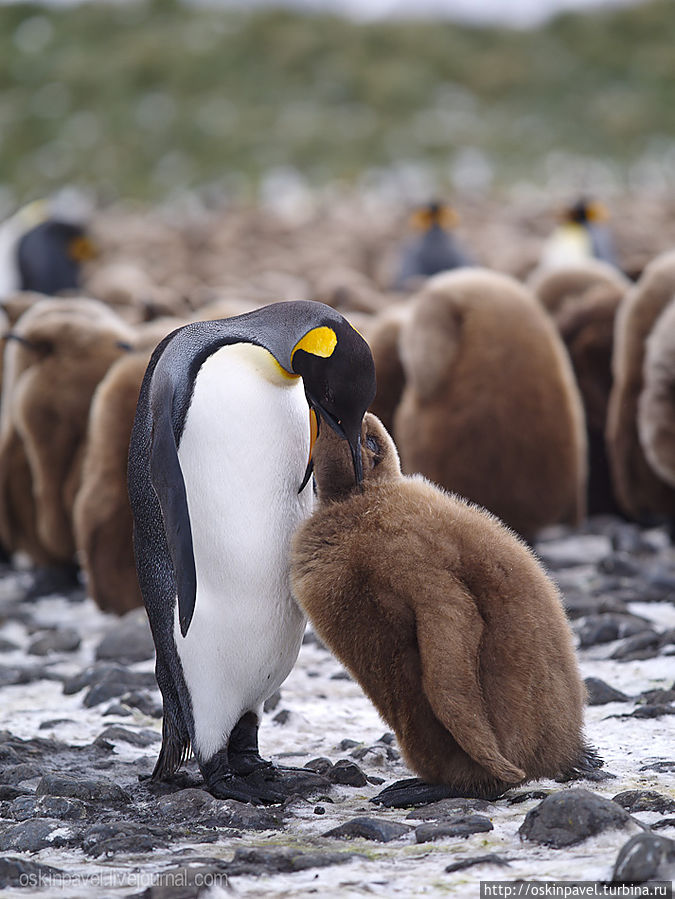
[{"x": 79, "y": 733}]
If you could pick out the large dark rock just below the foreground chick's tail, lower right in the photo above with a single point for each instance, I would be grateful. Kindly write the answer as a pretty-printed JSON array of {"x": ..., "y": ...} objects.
[{"x": 569, "y": 817}]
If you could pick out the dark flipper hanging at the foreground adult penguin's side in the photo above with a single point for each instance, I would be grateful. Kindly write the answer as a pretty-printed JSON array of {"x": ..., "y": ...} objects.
[{"x": 166, "y": 478}]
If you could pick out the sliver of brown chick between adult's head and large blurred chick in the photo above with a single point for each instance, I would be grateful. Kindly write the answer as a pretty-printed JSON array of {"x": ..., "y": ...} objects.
[{"x": 383, "y": 338}]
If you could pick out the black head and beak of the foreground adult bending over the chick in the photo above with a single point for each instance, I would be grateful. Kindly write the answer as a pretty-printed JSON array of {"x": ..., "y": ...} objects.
[{"x": 338, "y": 372}]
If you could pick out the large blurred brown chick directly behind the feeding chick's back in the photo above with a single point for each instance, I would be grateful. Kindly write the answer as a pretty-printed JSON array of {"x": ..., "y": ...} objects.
[{"x": 490, "y": 407}]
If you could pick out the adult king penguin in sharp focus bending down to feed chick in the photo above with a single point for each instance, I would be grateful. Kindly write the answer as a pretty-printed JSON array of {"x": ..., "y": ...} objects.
[{"x": 219, "y": 470}]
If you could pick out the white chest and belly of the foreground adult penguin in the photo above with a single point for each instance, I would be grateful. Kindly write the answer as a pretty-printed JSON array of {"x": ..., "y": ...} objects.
[{"x": 243, "y": 453}]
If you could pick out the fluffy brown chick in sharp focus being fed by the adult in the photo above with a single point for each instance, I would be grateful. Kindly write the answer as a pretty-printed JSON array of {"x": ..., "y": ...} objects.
[{"x": 445, "y": 618}]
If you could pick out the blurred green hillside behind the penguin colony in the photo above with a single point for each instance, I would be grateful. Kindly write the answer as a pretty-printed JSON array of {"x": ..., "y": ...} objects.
[{"x": 139, "y": 98}]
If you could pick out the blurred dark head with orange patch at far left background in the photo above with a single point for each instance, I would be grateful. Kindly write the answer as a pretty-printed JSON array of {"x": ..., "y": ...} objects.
[{"x": 50, "y": 255}]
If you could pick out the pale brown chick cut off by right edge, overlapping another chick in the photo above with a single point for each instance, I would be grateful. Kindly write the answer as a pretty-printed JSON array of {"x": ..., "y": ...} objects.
[{"x": 656, "y": 405}]
